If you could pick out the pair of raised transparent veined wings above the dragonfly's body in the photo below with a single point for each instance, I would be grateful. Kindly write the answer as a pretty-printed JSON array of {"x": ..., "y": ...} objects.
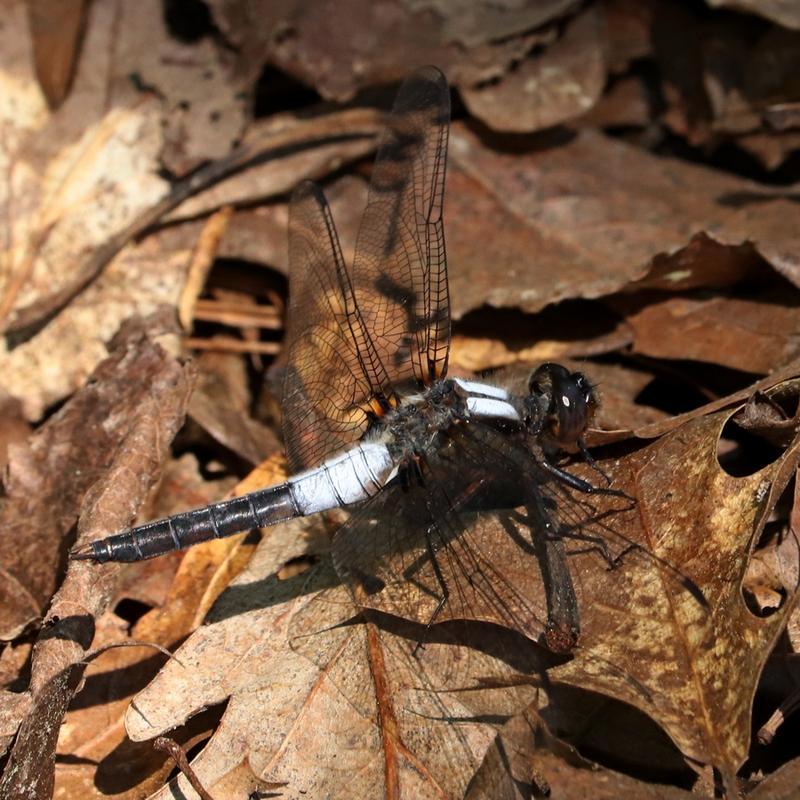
[{"x": 353, "y": 337}]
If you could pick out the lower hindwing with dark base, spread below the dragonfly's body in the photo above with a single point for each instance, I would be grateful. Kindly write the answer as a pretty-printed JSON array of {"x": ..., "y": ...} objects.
[{"x": 407, "y": 549}]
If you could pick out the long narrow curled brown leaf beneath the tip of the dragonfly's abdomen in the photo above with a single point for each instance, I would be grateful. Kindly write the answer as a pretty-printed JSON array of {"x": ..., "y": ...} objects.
[{"x": 156, "y": 388}]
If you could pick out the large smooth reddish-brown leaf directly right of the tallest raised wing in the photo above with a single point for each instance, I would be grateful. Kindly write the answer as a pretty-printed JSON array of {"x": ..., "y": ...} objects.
[{"x": 595, "y": 211}]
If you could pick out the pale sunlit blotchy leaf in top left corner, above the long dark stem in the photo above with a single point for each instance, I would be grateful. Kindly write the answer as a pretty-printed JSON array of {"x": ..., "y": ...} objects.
[{"x": 95, "y": 158}]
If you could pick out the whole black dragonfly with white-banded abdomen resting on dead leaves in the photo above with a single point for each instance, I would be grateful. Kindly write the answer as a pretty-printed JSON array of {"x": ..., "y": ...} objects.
[{"x": 372, "y": 422}]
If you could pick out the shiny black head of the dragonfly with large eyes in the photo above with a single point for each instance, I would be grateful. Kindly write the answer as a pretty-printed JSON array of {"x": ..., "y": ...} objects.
[{"x": 566, "y": 403}]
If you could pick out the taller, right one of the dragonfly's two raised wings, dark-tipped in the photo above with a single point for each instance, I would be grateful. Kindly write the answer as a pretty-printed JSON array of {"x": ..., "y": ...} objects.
[{"x": 400, "y": 269}]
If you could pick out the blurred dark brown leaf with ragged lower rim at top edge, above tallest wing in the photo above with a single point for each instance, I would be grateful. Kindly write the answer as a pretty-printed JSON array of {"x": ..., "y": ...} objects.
[{"x": 320, "y": 46}]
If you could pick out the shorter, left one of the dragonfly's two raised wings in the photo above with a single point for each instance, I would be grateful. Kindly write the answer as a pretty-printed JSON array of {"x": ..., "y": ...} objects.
[{"x": 333, "y": 371}]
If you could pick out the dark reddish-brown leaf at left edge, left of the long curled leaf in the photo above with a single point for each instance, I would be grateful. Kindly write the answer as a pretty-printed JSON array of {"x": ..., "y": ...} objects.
[{"x": 48, "y": 477}]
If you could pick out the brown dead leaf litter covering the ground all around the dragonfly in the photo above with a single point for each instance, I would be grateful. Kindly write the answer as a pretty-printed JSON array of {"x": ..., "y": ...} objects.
[{"x": 602, "y": 238}]
